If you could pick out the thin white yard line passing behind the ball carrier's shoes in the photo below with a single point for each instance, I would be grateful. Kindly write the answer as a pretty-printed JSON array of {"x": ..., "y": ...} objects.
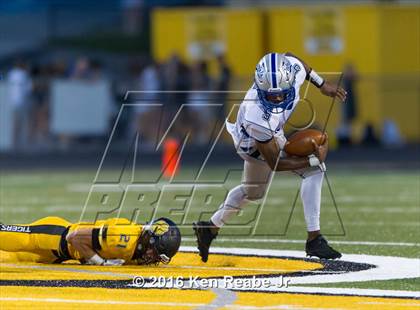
[{"x": 272, "y": 240}]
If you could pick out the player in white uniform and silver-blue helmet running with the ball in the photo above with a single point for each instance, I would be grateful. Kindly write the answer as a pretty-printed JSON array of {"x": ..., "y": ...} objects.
[{"x": 259, "y": 139}]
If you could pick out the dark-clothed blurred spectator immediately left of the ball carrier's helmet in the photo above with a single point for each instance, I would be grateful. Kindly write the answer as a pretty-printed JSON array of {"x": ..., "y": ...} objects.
[{"x": 222, "y": 86}]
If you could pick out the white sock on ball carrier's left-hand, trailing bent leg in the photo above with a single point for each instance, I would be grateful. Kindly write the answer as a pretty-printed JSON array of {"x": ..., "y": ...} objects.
[{"x": 234, "y": 202}]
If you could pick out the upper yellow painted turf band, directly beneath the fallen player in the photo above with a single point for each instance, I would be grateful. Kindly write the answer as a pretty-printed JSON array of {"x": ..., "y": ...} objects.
[{"x": 183, "y": 265}]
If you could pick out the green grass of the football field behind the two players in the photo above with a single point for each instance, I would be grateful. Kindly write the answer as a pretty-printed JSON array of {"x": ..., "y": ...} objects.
[{"x": 378, "y": 211}]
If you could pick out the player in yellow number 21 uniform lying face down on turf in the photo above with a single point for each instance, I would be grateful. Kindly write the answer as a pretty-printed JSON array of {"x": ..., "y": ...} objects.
[{"x": 109, "y": 242}]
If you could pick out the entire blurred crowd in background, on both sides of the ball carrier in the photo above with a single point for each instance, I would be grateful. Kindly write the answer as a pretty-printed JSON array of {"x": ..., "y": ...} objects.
[{"x": 173, "y": 94}]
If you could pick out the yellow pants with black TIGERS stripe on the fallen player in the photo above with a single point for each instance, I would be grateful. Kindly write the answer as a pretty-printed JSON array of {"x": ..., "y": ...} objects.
[{"x": 38, "y": 241}]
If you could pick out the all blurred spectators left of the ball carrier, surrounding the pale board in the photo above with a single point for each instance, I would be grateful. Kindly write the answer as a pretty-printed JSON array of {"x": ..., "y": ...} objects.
[{"x": 164, "y": 87}]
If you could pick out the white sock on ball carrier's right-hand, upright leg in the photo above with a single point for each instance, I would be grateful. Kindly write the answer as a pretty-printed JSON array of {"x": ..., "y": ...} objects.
[{"x": 310, "y": 193}]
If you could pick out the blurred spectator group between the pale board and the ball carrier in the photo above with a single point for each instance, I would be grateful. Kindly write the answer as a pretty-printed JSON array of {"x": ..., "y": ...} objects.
[{"x": 187, "y": 97}]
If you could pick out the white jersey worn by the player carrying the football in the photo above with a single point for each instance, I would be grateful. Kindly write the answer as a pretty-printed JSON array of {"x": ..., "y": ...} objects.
[{"x": 254, "y": 123}]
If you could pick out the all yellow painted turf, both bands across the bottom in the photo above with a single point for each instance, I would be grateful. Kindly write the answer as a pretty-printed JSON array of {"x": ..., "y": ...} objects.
[{"x": 55, "y": 296}]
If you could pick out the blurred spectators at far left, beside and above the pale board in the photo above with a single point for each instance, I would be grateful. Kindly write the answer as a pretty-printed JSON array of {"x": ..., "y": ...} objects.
[{"x": 29, "y": 95}]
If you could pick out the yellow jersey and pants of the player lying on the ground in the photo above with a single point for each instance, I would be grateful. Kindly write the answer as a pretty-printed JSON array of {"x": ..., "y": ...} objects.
[{"x": 44, "y": 240}]
